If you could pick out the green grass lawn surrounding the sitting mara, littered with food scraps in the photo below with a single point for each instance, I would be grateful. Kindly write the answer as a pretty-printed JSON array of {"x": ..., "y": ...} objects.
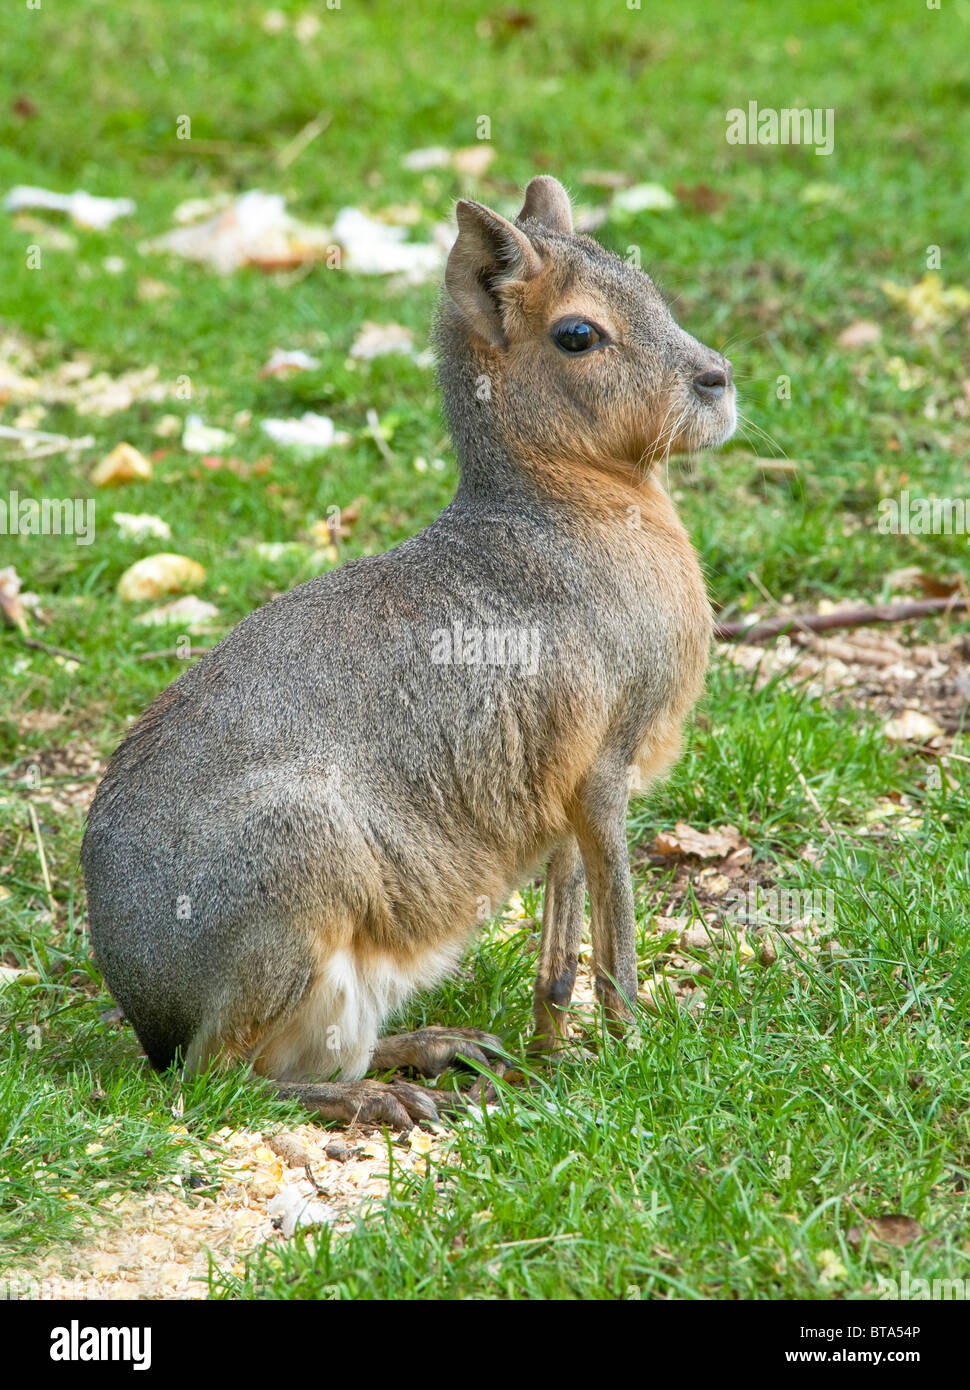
[{"x": 736, "y": 1147}]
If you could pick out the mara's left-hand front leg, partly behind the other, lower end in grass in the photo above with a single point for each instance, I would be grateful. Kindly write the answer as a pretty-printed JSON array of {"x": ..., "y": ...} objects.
[{"x": 559, "y": 953}]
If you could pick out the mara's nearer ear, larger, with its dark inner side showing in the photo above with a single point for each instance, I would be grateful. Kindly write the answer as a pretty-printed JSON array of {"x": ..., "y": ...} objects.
[{"x": 488, "y": 252}]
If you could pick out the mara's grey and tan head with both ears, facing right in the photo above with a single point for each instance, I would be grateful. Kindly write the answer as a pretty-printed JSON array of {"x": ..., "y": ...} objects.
[{"x": 572, "y": 351}]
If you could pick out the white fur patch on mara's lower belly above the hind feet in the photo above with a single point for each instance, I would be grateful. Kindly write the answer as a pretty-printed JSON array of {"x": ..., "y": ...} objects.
[{"x": 337, "y": 1025}]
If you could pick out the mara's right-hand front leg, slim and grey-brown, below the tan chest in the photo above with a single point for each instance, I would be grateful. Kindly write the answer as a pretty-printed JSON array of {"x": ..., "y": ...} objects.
[{"x": 602, "y": 835}]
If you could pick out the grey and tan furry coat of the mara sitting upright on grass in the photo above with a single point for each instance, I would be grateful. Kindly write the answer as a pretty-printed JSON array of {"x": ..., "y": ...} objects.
[{"x": 324, "y": 785}]
